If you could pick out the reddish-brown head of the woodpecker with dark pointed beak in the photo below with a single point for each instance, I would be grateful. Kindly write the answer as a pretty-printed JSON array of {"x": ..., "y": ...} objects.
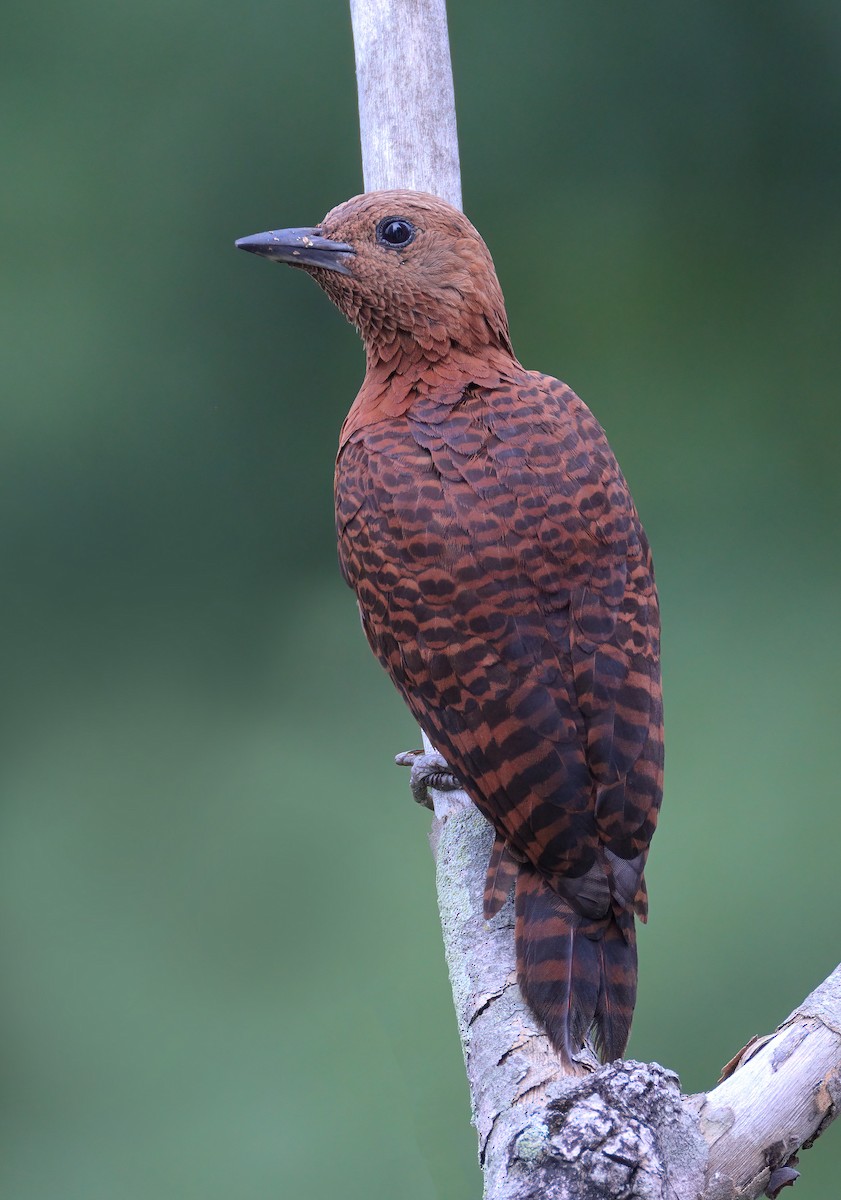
[{"x": 407, "y": 269}]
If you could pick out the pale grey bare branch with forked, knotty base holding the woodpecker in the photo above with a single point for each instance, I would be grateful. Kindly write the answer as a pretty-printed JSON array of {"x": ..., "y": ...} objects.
[{"x": 622, "y": 1132}]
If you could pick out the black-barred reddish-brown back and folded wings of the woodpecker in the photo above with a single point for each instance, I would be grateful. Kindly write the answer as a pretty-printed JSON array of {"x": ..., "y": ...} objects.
[{"x": 508, "y": 589}]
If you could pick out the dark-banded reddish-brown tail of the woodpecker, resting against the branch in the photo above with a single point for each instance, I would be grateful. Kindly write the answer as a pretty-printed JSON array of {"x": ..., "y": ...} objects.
[{"x": 576, "y": 974}]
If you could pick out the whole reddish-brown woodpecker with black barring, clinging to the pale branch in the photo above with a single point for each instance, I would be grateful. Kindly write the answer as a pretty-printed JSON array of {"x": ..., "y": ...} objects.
[{"x": 506, "y": 584}]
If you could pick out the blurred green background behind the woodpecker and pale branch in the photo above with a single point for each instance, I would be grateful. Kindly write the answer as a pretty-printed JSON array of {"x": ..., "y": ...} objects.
[{"x": 223, "y": 973}]
